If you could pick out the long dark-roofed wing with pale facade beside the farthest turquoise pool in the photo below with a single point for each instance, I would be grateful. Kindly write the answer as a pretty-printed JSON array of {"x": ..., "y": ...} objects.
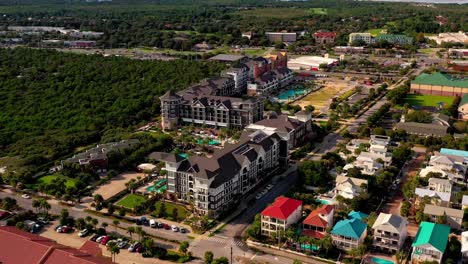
[{"x": 270, "y": 82}]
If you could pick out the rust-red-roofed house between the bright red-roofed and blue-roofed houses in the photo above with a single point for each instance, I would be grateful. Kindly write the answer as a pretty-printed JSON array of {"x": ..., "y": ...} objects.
[{"x": 318, "y": 221}]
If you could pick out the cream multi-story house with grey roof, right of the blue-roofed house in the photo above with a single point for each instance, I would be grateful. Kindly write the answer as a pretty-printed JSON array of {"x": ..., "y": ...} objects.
[{"x": 389, "y": 232}]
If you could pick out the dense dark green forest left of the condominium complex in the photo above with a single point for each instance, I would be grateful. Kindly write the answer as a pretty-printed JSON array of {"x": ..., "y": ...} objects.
[{"x": 52, "y": 102}]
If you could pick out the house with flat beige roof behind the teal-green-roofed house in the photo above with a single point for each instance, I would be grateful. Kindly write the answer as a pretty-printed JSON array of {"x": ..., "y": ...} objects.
[{"x": 453, "y": 217}]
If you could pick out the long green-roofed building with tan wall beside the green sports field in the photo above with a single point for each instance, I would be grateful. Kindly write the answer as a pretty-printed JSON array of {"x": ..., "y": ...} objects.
[{"x": 439, "y": 84}]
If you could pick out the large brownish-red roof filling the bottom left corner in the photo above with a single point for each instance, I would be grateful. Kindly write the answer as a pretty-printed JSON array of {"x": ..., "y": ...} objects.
[{"x": 17, "y": 246}]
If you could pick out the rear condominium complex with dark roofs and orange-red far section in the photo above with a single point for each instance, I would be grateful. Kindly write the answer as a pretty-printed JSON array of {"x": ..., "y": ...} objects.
[{"x": 217, "y": 102}]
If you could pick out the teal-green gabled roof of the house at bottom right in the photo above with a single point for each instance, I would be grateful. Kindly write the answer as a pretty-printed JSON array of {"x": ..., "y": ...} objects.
[{"x": 433, "y": 234}]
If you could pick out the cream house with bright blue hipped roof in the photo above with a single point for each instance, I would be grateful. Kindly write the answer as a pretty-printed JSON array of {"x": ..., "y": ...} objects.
[{"x": 348, "y": 234}]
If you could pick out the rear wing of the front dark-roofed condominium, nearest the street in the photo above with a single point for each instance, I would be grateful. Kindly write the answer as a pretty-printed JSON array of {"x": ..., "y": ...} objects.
[{"x": 296, "y": 130}]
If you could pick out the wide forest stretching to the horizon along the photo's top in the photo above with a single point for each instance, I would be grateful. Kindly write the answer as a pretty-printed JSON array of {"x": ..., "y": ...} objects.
[{"x": 179, "y": 24}]
